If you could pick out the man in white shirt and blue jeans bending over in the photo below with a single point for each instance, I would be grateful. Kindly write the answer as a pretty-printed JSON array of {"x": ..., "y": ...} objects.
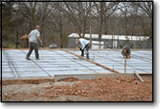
[{"x": 83, "y": 44}]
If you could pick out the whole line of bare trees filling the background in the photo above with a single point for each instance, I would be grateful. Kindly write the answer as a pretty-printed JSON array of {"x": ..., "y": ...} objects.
[{"x": 59, "y": 19}]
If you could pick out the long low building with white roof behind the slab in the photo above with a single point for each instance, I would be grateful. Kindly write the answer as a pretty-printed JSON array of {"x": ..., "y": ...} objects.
[{"x": 110, "y": 41}]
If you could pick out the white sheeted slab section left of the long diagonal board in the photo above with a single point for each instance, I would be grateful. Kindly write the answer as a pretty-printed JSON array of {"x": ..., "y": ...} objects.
[{"x": 14, "y": 64}]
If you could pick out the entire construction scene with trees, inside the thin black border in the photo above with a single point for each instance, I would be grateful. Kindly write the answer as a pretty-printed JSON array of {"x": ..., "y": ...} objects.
[{"x": 76, "y": 51}]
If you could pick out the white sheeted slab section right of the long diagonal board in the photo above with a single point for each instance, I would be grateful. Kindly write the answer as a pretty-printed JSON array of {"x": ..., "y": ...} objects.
[{"x": 140, "y": 61}]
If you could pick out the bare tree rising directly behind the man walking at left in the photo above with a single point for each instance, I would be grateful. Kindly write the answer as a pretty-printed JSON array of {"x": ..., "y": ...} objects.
[{"x": 36, "y": 13}]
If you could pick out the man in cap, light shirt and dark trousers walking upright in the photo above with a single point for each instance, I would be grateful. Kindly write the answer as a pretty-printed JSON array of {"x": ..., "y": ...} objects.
[{"x": 33, "y": 36}]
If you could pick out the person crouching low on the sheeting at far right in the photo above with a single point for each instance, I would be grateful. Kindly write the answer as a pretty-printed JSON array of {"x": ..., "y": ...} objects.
[{"x": 126, "y": 52}]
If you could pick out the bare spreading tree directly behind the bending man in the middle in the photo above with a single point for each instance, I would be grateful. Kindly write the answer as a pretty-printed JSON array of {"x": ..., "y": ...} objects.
[{"x": 77, "y": 13}]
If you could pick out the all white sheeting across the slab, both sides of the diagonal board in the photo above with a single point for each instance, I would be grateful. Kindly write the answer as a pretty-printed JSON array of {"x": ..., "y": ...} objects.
[{"x": 57, "y": 62}]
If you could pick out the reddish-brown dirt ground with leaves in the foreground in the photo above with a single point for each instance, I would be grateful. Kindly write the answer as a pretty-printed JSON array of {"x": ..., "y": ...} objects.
[{"x": 72, "y": 89}]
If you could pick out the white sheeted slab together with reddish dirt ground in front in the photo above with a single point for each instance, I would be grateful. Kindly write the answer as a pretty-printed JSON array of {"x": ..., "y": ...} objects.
[{"x": 63, "y": 75}]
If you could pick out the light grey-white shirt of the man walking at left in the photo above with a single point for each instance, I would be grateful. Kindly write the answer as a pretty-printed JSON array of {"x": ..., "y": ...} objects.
[{"x": 33, "y": 36}]
